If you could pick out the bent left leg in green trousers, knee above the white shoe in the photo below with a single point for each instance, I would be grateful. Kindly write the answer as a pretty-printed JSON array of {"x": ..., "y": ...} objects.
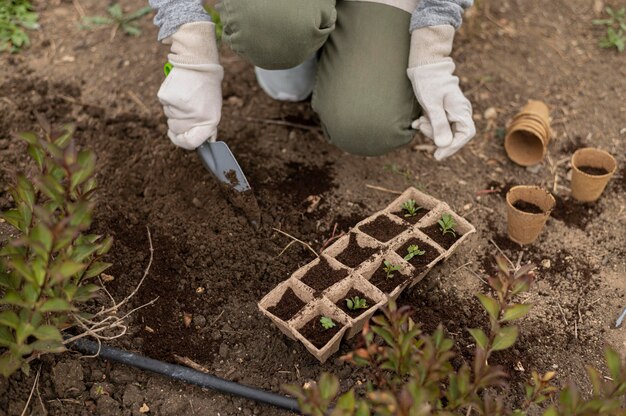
[{"x": 276, "y": 34}]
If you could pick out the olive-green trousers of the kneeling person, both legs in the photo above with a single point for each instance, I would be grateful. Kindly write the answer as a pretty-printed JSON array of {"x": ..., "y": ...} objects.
[{"x": 362, "y": 94}]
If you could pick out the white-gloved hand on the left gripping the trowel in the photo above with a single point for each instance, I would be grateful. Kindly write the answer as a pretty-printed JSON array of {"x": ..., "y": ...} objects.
[{"x": 191, "y": 94}]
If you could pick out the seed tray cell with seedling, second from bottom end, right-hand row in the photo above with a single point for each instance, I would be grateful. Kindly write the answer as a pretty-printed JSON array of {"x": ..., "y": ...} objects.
[{"x": 371, "y": 299}]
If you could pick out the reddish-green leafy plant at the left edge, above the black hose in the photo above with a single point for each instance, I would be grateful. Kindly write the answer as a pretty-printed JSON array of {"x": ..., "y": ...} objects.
[{"x": 47, "y": 269}]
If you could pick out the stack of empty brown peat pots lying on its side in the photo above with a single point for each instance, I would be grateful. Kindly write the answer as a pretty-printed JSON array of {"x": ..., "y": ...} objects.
[{"x": 528, "y": 135}]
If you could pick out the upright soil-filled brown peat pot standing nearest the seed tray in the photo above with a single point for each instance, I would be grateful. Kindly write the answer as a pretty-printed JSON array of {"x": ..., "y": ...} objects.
[{"x": 528, "y": 209}]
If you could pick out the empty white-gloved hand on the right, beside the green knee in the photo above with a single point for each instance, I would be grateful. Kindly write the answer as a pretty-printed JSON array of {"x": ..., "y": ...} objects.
[{"x": 447, "y": 118}]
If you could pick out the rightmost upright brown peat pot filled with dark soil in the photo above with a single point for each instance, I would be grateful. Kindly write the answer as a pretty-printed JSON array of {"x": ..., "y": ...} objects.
[{"x": 591, "y": 171}]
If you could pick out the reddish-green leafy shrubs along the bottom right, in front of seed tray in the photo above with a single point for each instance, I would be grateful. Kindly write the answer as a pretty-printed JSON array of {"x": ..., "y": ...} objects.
[{"x": 412, "y": 375}]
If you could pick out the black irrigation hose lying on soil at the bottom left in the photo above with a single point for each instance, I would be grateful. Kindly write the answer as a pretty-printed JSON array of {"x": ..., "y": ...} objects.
[{"x": 185, "y": 374}]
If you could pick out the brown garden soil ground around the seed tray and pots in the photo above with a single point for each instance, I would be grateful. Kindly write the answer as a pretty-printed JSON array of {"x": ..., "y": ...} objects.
[{"x": 212, "y": 265}]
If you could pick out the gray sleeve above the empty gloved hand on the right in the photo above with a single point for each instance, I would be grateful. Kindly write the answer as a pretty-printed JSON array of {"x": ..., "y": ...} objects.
[{"x": 439, "y": 12}]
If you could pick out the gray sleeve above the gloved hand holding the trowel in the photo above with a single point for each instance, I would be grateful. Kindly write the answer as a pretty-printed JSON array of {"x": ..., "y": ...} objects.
[{"x": 171, "y": 14}]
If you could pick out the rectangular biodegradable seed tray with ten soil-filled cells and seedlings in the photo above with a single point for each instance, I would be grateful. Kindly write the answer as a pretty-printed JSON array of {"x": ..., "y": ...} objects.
[{"x": 368, "y": 249}]
